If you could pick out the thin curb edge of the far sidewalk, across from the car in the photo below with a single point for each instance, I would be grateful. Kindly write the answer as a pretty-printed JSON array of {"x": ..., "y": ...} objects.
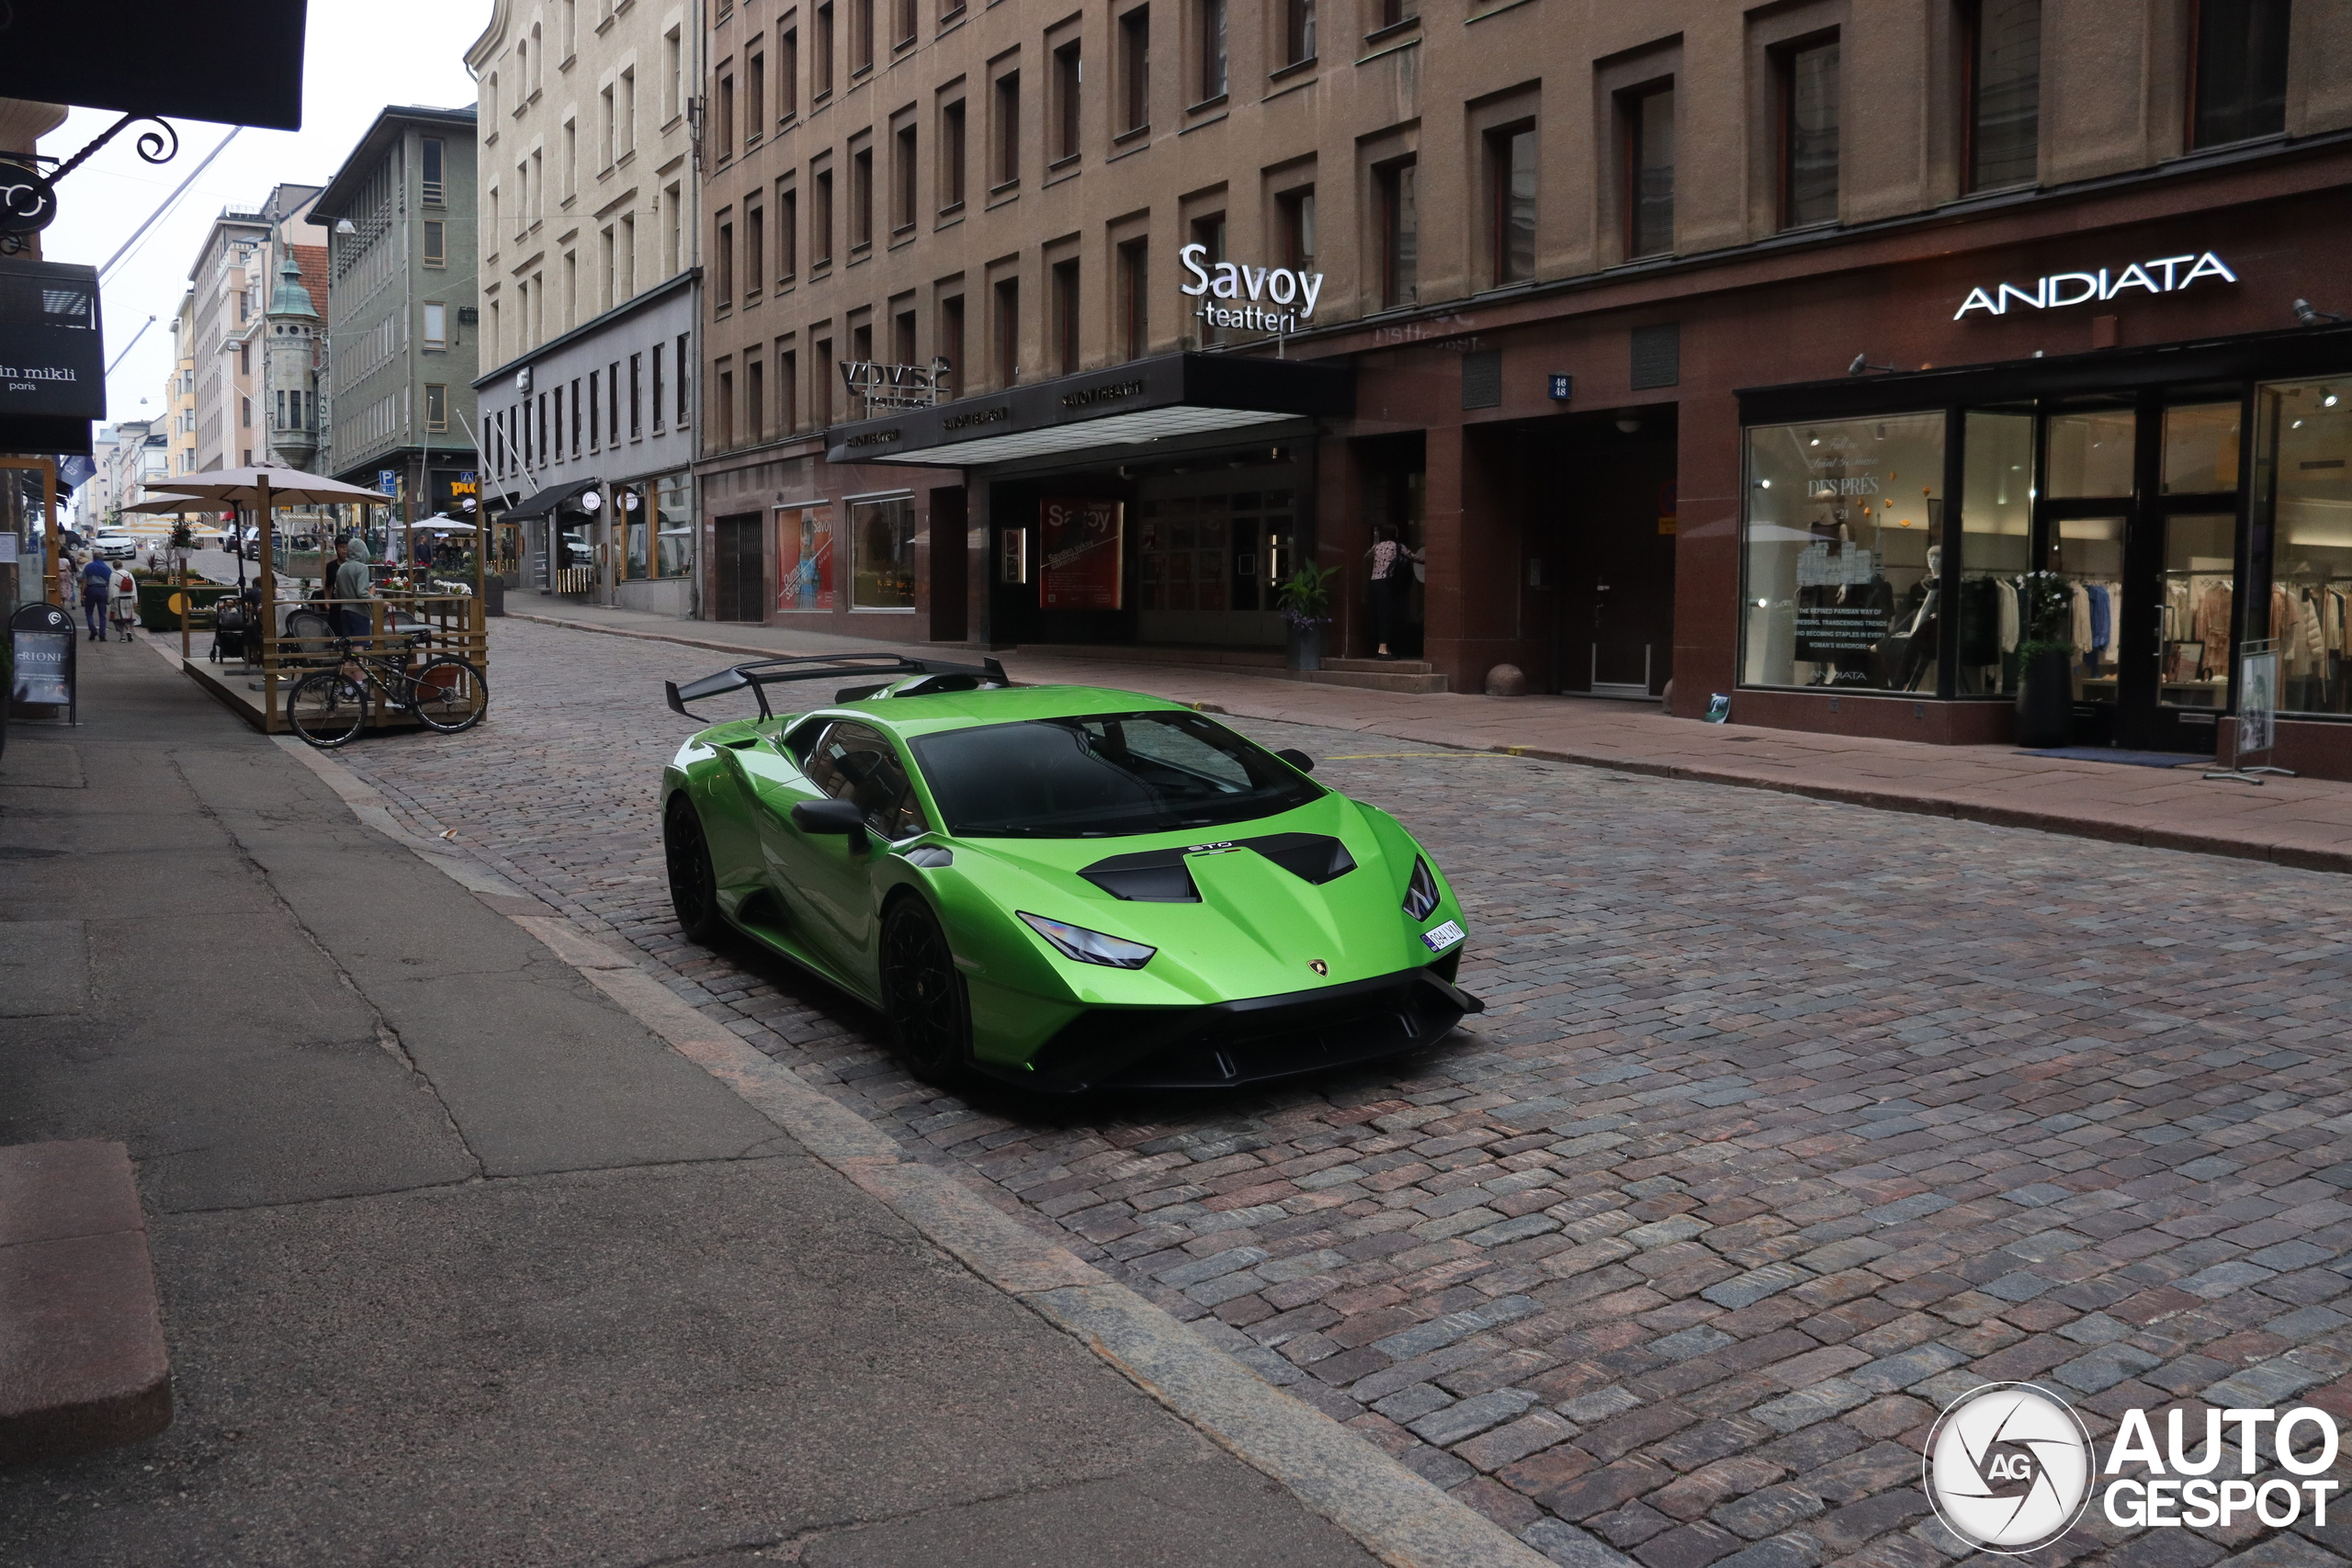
[{"x": 1847, "y": 796}]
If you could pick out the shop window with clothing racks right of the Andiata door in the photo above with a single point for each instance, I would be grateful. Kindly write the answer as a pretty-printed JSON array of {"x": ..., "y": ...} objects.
[{"x": 2304, "y": 492}]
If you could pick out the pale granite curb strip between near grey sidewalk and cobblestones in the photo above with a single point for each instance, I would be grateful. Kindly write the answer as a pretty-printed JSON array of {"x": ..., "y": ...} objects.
[{"x": 1394, "y": 1513}]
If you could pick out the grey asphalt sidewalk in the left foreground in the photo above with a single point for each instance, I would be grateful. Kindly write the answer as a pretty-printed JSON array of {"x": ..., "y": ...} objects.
[{"x": 465, "y": 1264}]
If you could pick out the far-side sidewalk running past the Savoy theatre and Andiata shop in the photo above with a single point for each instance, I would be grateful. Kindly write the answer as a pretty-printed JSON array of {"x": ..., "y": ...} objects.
[{"x": 2290, "y": 822}]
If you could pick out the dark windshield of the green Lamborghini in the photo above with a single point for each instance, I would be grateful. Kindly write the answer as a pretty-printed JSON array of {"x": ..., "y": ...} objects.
[{"x": 1104, "y": 775}]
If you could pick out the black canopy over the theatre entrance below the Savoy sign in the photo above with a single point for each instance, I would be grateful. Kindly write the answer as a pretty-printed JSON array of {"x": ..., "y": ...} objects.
[{"x": 1128, "y": 406}]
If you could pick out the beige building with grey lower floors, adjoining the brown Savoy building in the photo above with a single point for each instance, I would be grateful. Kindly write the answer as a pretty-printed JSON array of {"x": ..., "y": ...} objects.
[{"x": 589, "y": 264}]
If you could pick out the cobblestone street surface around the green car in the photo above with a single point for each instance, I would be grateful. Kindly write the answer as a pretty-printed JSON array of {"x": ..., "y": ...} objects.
[{"x": 1786, "y": 1125}]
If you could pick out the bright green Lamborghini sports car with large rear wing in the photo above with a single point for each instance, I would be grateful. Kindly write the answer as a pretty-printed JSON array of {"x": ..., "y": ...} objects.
[{"x": 1062, "y": 887}]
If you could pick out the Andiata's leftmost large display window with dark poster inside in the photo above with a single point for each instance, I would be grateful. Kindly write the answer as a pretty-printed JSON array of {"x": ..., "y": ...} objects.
[{"x": 1843, "y": 568}]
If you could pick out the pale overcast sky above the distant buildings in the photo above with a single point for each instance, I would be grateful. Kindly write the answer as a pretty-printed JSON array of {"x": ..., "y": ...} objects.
[{"x": 356, "y": 60}]
